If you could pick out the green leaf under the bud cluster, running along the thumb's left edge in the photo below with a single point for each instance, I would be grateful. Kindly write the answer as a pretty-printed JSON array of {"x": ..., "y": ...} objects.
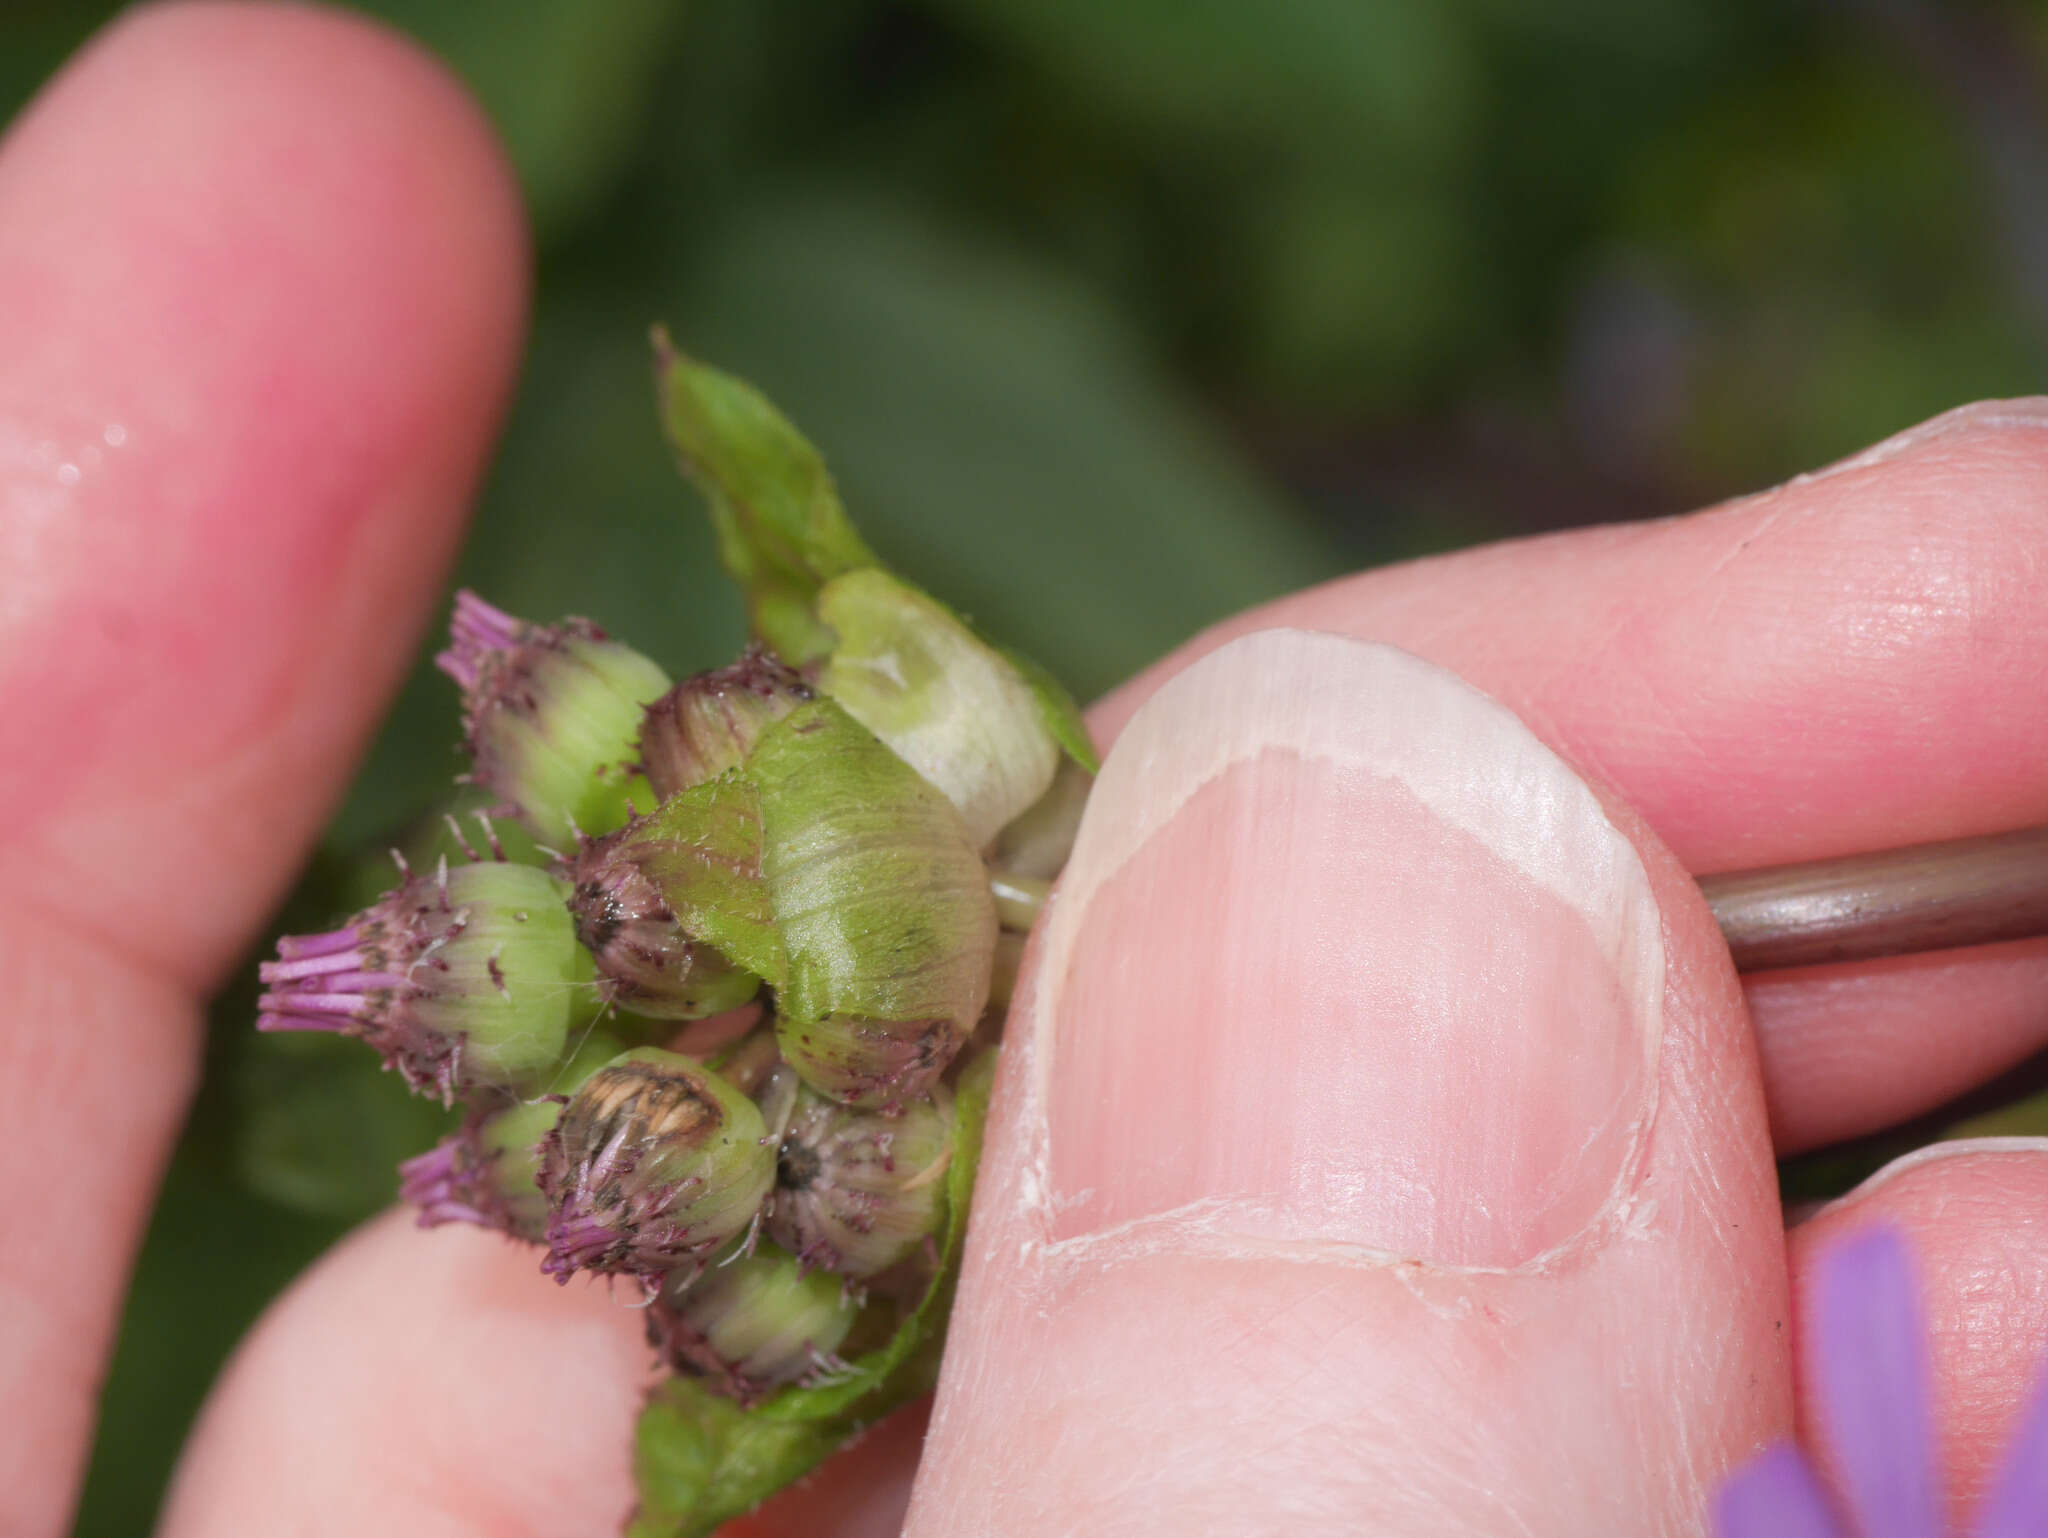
[{"x": 703, "y": 1461}]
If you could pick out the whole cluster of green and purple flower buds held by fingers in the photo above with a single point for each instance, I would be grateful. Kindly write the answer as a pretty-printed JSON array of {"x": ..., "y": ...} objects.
[{"x": 771, "y": 875}]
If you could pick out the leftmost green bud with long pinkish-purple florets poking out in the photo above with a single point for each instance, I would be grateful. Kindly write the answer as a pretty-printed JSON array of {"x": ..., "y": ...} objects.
[{"x": 466, "y": 980}]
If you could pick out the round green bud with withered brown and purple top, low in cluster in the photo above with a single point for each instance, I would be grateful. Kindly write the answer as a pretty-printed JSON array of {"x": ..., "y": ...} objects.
[{"x": 654, "y": 1162}]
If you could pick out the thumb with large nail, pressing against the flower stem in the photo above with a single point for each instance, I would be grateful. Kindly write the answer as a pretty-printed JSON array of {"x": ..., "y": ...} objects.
[{"x": 1377, "y": 1148}]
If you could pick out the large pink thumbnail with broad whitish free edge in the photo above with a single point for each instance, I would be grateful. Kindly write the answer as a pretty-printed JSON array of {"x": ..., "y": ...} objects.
[{"x": 1345, "y": 955}]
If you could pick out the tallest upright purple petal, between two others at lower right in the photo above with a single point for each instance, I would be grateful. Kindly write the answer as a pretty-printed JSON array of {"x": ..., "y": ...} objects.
[{"x": 1869, "y": 1375}]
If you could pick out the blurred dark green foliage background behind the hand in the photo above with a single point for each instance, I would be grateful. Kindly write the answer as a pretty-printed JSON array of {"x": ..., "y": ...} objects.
[{"x": 1115, "y": 316}]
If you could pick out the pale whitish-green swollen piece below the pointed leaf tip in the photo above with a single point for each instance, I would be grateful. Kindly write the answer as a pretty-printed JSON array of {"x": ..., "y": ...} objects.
[{"x": 945, "y": 701}]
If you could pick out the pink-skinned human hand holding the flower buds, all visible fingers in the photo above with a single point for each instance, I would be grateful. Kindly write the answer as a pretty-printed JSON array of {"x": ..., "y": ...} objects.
[{"x": 280, "y": 255}]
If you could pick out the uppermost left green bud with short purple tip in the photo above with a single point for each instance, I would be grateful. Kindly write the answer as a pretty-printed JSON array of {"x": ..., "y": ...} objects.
[{"x": 552, "y": 716}]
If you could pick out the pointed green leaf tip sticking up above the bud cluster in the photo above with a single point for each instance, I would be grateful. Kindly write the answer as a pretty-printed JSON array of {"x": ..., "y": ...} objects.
[{"x": 781, "y": 527}]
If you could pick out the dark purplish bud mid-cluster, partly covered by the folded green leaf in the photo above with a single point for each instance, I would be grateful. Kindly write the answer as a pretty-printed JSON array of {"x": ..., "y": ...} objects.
[{"x": 646, "y": 959}]
